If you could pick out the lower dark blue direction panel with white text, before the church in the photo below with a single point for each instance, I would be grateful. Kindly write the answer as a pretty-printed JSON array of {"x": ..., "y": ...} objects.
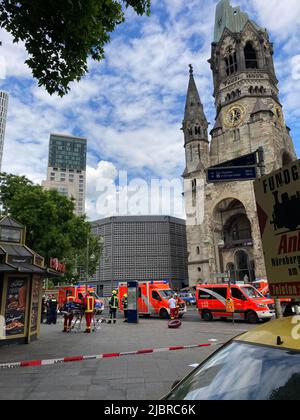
[{"x": 244, "y": 173}]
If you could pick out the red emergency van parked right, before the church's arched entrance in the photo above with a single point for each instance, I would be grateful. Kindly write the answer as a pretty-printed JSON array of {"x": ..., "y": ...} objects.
[{"x": 249, "y": 304}]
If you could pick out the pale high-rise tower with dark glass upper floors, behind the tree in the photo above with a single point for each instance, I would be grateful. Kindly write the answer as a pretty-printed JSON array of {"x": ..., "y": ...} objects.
[{"x": 67, "y": 168}]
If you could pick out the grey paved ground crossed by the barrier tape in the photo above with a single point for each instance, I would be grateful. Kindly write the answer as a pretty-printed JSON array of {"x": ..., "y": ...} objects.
[{"x": 138, "y": 377}]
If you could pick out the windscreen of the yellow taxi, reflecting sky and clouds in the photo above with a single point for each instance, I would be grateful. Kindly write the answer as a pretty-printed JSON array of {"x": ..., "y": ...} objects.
[{"x": 244, "y": 372}]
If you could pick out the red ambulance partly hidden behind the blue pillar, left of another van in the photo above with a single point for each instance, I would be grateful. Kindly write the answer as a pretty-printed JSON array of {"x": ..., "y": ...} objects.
[{"x": 153, "y": 298}]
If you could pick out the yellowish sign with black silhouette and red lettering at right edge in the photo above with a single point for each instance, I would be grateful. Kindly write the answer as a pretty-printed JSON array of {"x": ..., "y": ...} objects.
[{"x": 278, "y": 207}]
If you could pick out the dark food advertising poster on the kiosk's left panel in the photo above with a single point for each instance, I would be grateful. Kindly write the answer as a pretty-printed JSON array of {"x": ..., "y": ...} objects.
[{"x": 15, "y": 311}]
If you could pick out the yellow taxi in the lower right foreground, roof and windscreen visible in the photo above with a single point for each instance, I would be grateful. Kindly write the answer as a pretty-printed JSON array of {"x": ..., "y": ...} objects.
[{"x": 263, "y": 364}]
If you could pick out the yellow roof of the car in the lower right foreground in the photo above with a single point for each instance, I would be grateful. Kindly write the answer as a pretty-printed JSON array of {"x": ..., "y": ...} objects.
[{"x": 267, "y": 334}]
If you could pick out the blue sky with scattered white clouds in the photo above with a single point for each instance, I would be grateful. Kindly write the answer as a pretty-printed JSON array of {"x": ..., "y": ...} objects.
[{"x": 130, "y": 106}]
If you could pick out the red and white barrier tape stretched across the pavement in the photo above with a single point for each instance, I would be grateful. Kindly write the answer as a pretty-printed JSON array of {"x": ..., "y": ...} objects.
[{"x": 51, "y": 362}]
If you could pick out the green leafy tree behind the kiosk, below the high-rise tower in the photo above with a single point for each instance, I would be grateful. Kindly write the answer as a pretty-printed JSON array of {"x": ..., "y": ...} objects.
[{"x": 53, "y": 230}]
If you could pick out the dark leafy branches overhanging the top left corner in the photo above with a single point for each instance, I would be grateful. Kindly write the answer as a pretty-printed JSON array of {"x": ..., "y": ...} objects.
[{"x": 60, "y": 35}]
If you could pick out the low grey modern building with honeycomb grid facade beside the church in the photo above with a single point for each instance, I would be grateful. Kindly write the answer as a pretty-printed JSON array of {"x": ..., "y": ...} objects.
[{"x": 141, "y": 248}]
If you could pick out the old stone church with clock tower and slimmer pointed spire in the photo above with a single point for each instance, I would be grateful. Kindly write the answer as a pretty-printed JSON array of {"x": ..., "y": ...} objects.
[{"x": 222, "y": 225}]
